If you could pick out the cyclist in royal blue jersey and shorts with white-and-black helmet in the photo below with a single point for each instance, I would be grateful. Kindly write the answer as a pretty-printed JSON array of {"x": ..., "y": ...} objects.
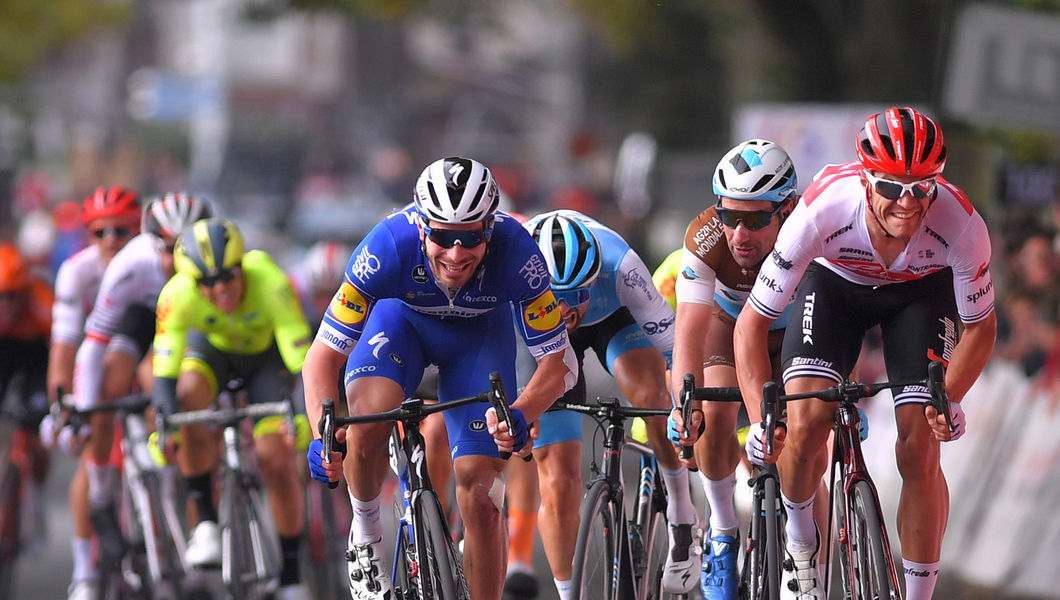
[{"x": 432, "y": 285}]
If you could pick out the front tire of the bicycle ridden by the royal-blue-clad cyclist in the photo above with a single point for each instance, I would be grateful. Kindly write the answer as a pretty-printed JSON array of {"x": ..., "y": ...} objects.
[{"x": 438, "y": 556}]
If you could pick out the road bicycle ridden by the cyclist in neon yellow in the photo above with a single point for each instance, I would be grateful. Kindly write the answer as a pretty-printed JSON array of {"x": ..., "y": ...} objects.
[{"x": 251, "y": 554}]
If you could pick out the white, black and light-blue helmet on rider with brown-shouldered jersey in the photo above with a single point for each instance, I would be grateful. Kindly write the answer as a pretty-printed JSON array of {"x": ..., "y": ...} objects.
[{"x": 756, "y": 170}]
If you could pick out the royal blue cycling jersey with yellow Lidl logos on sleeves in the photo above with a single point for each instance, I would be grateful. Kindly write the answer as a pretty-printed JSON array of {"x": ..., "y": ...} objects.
[{"x": 391, "y": 263}]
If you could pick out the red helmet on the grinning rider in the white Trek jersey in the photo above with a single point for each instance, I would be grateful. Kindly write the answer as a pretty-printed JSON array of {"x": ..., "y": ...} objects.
[{"x": 902, "y": 142}]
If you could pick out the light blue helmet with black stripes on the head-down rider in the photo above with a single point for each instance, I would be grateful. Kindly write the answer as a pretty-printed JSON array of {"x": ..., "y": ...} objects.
[{"x": 571, "y": 249}]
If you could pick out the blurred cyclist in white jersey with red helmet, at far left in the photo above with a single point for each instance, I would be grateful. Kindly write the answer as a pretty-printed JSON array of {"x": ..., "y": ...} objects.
[{"x": 113, "y": 218}]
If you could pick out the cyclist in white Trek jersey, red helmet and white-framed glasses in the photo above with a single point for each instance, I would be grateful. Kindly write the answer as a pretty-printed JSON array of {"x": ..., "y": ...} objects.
[{"x": 885, "y": 241}]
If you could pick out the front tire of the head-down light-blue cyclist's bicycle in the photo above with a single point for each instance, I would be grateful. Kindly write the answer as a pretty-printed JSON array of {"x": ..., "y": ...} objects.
[{"x": 595, "y": 568}]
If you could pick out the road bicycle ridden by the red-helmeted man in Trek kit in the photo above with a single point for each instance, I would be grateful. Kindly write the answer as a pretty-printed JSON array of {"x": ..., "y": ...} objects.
[{"x": 868, "y": 568}]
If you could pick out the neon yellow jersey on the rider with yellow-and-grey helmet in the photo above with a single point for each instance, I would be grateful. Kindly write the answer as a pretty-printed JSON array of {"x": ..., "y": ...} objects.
[{"x": 270, "y": 309}]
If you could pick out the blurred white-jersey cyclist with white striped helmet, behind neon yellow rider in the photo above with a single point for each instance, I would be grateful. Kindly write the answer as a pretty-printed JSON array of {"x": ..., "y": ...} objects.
[{"x": 118, "y": 337}]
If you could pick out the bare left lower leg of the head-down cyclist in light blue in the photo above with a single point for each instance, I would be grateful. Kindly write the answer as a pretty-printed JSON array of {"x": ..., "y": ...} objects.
[{"x": 560, "y": 478}]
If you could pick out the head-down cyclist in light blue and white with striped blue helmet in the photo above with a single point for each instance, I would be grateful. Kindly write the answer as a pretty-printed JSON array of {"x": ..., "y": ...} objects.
[{"x": 609, "y": 305}]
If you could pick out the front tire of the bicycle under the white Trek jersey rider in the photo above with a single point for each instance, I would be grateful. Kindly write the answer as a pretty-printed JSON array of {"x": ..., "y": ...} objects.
[{"x": 868, "y": 548}]
